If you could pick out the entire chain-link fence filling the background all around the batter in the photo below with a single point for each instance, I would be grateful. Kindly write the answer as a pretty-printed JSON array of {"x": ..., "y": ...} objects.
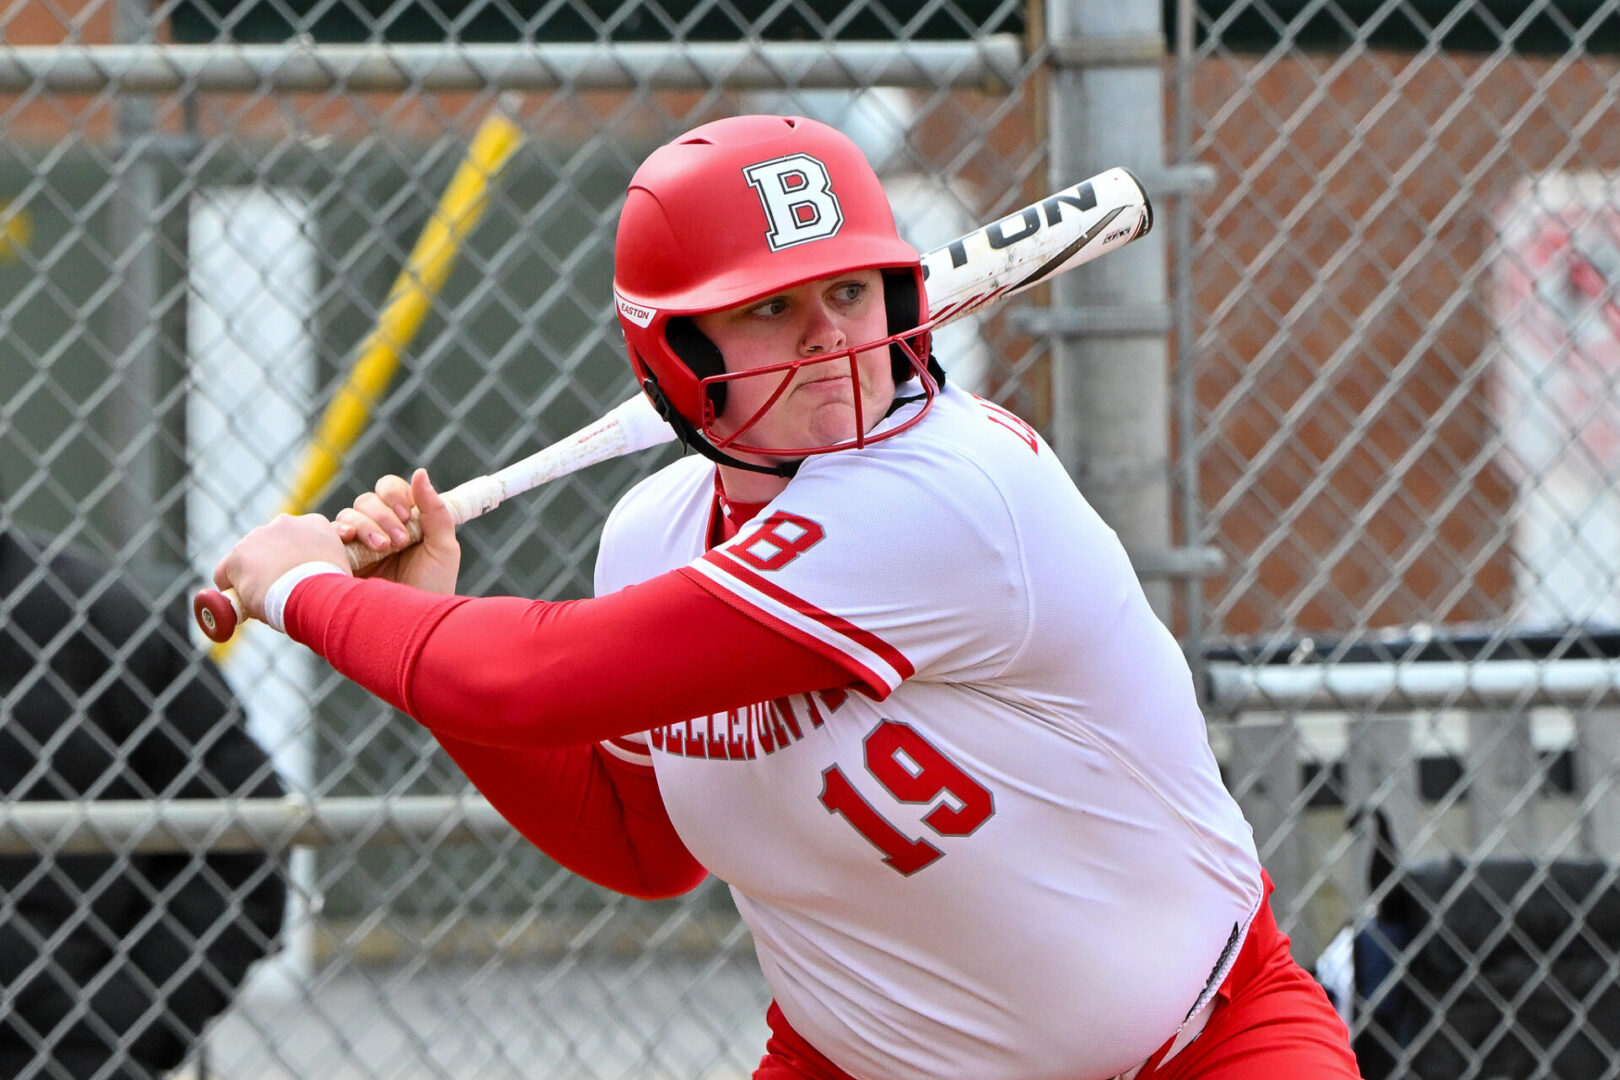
[{"x": 1381, "y": 317}]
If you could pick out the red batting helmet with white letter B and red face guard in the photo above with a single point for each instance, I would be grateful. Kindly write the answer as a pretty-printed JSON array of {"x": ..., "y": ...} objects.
[{"x": 736, "y": 211}]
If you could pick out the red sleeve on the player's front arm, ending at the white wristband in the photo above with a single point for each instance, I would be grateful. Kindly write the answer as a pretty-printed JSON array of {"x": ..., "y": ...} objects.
[{"x": 514, "y": 673}]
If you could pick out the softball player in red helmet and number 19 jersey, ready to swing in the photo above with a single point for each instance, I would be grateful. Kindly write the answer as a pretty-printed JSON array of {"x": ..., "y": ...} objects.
[{"x": 869, "y": 658}]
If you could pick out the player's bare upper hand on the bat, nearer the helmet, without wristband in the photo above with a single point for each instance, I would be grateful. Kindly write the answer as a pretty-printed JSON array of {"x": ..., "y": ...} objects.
[{"x": 380, "y": 521}]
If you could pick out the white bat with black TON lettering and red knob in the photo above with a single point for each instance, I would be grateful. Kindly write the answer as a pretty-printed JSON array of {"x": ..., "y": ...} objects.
[{"x": 966, "y": 276}]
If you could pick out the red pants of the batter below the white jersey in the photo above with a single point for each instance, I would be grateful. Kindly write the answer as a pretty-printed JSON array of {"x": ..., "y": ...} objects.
[{"x": 1271, "y": 1021}]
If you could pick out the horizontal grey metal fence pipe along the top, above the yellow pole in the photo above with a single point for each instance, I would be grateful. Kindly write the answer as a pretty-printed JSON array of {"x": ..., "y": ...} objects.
[{"x": 991, "y": 64}]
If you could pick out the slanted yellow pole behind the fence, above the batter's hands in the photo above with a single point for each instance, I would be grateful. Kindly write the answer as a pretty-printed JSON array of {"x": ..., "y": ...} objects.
[{"x": 419, "y": 283}]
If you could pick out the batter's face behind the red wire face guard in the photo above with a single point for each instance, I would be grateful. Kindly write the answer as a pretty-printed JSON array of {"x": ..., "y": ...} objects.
[{"x": 819, "y": 318}]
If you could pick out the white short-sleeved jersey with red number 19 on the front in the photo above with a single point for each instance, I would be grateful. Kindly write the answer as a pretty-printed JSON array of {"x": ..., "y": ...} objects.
[{"x": 1010, "y": 856}]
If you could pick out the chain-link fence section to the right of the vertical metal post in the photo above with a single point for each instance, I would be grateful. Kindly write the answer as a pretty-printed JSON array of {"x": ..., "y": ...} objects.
[{"x": 1404, "y": 396}]
